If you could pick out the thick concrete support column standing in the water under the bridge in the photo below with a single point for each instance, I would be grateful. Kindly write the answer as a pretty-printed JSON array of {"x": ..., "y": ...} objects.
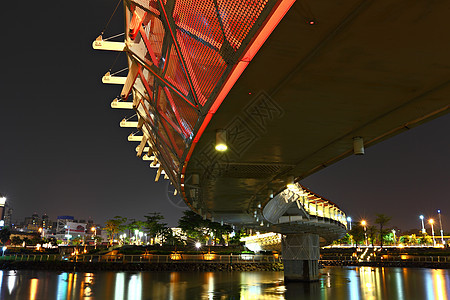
[{"x": 301, "y": 255}]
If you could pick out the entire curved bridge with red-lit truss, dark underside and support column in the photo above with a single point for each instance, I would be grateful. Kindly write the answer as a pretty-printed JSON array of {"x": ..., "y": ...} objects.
[{"x": 237, "y": 101}]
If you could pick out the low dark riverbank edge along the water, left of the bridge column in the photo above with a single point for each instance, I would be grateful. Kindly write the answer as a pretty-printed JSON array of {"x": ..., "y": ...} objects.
[{"x": 67, "y": 266}]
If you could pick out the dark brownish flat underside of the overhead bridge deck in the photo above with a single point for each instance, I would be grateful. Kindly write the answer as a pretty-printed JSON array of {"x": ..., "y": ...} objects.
[{"x": 330, "y": 71}]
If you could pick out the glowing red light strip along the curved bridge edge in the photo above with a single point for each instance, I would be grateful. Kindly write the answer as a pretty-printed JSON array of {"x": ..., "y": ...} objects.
[{"x": 272, "y": 21}]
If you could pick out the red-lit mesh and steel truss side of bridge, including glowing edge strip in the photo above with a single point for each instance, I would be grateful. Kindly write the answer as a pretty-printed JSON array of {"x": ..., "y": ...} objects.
[{"x": 188, "y": 55}]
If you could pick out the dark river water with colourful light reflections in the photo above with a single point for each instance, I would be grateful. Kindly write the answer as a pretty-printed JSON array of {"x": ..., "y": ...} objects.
[{"x": 335, "y": 283}]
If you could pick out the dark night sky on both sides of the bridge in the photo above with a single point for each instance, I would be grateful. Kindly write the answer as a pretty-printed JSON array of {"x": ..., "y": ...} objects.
[{"x": 62, "y": 151}]
